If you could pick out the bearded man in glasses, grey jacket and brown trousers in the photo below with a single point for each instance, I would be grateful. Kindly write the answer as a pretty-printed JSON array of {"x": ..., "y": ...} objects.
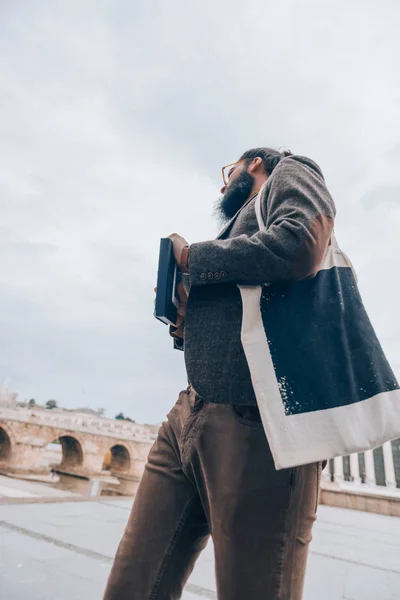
[{"x": 211, "y": 471}]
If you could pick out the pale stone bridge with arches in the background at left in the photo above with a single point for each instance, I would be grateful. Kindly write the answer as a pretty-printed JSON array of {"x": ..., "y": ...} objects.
[{"x": 89, "y": 443}]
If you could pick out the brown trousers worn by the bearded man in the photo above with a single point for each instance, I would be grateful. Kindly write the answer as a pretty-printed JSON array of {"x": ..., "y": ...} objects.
[{"x": 211, "y": 472}]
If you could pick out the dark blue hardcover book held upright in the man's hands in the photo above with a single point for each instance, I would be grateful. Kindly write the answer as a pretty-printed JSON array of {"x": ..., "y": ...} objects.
[{"x": 168, "y": 277}]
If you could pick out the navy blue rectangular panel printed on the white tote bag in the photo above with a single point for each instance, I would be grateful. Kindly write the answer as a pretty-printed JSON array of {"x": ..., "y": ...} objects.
[{"x": 324, "y": 349}]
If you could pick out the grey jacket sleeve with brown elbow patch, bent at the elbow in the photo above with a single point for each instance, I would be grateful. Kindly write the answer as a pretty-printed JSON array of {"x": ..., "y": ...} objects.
[{"x": 300, "y": 222}]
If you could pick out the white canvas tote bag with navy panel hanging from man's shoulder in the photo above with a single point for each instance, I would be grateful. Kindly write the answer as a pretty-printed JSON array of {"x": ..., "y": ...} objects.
[{"x": 323, "y": 385}]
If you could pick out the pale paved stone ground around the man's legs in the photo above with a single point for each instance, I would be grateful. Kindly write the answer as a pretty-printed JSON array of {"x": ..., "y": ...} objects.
[{"x": 63, "y": 551}]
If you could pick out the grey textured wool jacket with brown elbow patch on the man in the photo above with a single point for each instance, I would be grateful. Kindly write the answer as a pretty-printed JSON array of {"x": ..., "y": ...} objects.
[{"x": 299, "y": 214}]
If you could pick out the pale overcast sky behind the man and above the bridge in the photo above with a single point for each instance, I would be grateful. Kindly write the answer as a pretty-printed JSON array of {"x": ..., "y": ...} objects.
[{"x": 115, "y": 119}]
